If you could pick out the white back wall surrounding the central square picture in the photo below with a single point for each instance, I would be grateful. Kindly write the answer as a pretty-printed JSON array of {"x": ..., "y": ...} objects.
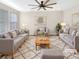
[{"x": 29, "y": 19}]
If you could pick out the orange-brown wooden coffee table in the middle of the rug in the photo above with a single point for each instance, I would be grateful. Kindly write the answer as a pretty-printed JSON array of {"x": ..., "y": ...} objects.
[{"x": 42, "y": 41}]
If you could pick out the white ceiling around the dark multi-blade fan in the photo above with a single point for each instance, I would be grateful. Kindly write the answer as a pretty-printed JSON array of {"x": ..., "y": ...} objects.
[{"x": 22, "y": 5}]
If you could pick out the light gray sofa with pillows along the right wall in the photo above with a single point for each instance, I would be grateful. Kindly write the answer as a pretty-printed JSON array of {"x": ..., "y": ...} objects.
[{"x": 71, "y": 37}]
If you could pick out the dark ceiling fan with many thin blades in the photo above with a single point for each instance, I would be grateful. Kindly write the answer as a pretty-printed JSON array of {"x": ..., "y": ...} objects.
[{"x": 42, "y": 4}]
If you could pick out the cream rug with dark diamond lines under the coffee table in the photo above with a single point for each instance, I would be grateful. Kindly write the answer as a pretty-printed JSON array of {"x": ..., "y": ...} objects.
[{"x": 28, "y": 50}]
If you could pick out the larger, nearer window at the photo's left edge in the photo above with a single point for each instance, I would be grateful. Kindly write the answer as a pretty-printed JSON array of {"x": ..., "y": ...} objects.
[{"x": 3, "y": 20}]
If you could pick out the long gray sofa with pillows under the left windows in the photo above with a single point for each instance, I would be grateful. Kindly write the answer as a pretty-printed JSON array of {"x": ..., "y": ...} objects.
[{"x": 11, "y": 41}]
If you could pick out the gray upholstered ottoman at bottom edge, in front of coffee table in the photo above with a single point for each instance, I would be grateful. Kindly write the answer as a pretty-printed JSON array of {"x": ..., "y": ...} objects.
[{"x": 52, "y": 54}]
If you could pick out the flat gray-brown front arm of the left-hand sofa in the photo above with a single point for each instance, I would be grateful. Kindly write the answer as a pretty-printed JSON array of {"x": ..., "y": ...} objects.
[{"x": 6, "y": 45}]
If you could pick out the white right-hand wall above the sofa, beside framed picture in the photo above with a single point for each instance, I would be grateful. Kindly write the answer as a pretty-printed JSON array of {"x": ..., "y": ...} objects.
[{"x": 69, "y": 15}]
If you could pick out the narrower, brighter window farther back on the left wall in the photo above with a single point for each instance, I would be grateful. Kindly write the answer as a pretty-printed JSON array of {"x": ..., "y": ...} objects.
[{"x": 13, "y": 21}]
